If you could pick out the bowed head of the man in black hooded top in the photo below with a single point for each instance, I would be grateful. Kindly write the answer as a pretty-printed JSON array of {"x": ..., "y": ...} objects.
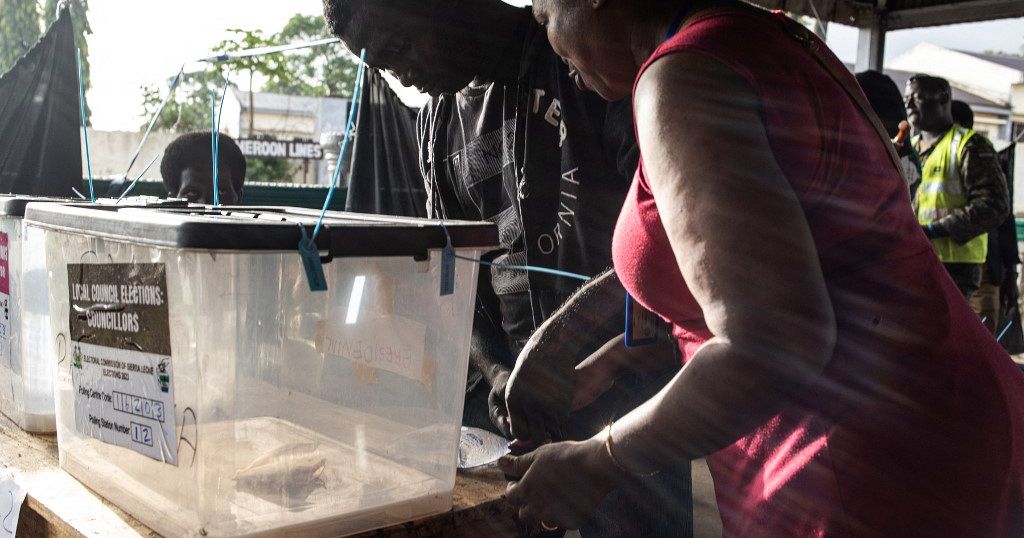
[{"x": 436, "y": 46}]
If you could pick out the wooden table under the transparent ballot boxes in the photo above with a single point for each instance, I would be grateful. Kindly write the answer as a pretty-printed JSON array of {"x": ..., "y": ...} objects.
[{"x": 58, "y": 506}]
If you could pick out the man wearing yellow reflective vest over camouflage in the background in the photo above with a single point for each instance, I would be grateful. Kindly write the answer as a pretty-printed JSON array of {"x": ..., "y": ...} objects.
[{"x": 963, "y": 193}]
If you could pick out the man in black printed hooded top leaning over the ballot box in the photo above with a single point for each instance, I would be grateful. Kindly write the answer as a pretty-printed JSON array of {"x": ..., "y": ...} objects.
[{"x": 508, "y": 137}]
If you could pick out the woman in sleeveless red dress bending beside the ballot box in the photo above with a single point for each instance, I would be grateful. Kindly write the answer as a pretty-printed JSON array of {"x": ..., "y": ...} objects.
[{"x": 836, "y": 380}]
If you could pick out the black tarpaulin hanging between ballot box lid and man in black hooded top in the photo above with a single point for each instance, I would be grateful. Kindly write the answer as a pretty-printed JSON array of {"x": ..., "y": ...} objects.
[{"x": 385, "y": 177}]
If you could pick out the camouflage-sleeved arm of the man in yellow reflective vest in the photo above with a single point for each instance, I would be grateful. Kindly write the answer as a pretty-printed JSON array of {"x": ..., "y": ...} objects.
[{"x": 989, "y": 200}]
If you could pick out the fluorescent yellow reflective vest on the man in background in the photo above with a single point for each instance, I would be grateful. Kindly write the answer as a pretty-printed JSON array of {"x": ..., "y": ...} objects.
[{"x": 942, "y": 191}]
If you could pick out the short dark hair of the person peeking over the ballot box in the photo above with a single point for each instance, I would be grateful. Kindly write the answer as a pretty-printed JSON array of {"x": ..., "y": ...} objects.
[{"x": 193, "y": 151}]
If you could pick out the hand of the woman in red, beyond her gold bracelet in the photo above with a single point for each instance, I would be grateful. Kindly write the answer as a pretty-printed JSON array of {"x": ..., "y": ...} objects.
[{"x": 561, "y": 484}]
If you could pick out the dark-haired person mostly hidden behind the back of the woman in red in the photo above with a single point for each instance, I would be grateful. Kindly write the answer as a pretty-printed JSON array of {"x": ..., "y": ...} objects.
[{"x": 887, "y": 101}]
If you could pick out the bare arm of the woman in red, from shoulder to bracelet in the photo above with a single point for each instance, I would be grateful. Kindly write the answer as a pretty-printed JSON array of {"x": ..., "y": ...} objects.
[{"x": 746, "y": 253}]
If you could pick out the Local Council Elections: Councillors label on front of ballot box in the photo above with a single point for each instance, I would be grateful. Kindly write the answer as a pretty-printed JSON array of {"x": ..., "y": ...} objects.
[{"x": 121, "y": 357}]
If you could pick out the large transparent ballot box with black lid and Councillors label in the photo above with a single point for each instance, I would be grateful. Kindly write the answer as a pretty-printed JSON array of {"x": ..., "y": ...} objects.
[{"x": 203, "y": 388}]
